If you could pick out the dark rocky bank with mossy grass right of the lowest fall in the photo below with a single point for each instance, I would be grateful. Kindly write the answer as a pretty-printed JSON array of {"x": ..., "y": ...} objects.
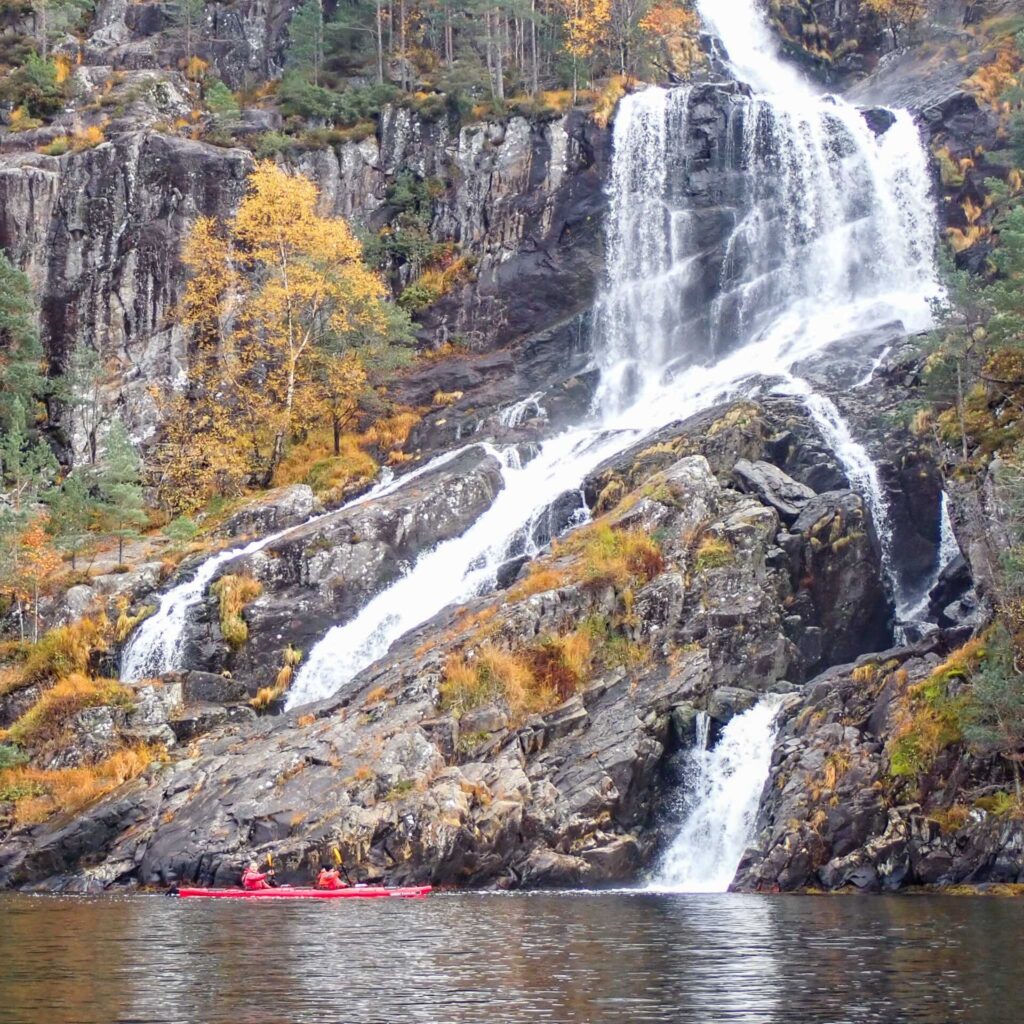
[{"x": 844, "y": 808}]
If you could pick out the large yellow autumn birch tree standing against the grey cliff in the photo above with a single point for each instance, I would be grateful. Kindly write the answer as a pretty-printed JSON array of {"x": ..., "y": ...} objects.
[{"x": 278, "y": 300}]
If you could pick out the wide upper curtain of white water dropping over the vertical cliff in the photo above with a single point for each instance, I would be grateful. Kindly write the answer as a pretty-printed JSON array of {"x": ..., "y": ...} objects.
[{"x": 823, "y": 191}]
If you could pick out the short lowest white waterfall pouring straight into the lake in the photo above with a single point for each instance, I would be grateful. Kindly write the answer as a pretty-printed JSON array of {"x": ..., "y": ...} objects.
[{"x": 721, "y": 804}]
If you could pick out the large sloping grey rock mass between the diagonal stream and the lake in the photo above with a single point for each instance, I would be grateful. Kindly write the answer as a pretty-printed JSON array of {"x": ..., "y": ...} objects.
[{"x": 409, "y": 787}]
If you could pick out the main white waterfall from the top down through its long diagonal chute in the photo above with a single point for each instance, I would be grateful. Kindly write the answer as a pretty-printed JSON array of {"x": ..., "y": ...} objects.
[{"x": 828, "y": 230}]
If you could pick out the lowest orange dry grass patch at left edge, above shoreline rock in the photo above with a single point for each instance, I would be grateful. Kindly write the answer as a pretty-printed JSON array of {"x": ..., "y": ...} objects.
[{"x": 38, "y": 794}]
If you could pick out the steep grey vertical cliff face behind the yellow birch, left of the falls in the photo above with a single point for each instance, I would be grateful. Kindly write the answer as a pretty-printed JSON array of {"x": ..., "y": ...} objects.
[{"x": 101, "y": 234}]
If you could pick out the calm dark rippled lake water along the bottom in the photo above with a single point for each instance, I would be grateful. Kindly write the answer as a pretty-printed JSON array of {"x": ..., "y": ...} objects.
[{"x": 562, "y": 958}]
